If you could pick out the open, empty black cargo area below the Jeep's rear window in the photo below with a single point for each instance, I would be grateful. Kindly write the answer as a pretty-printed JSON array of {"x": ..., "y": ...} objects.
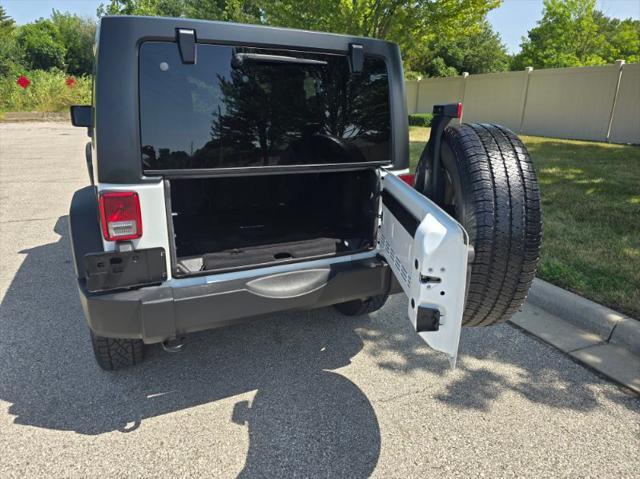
[{"x": 229, "y": 223}]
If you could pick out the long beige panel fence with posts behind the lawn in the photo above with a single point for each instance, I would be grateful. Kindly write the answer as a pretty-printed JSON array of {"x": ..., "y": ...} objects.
[{"x": 586, "y": 103}]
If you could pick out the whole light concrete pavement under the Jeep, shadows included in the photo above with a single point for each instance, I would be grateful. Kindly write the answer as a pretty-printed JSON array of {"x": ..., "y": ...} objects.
[{"x": 307, "y": 394}]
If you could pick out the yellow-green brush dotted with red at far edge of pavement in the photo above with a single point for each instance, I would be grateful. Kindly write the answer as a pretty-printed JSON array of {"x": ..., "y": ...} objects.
[{"x": 48, "y": 91}]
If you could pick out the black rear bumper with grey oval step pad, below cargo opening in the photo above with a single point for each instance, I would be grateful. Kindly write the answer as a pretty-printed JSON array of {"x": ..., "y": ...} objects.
[{"x": 156, "y": 313}]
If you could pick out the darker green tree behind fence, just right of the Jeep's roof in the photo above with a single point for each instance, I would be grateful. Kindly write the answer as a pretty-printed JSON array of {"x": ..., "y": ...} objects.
[{"x": 480, "y": 52}]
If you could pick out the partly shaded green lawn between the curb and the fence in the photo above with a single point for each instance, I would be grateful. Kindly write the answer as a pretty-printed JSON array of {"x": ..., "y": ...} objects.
[{"x": 591, "y": 216}]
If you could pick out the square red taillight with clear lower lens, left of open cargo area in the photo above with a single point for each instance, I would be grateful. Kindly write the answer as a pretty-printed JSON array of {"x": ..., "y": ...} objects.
[{"x": 120, "y": 215}]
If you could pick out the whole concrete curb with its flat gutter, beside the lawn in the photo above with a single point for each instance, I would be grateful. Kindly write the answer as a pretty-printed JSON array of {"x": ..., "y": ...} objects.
[{"x": 603, "y": 339}]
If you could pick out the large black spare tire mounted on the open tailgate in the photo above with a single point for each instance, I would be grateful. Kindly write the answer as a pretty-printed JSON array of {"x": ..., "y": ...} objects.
[{"x": 490, "y": 187}]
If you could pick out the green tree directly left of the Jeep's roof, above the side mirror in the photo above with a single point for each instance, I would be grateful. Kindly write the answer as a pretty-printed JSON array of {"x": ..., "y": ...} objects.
[{"x": 77, "y": 35}]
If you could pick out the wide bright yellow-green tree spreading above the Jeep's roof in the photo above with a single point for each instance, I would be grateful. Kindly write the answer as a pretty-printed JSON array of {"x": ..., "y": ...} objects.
[{"x": 413, "y": 25}]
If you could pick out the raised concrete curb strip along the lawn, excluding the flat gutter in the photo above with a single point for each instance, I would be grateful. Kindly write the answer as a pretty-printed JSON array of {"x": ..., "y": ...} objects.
[{"x": 611, "y": 326}]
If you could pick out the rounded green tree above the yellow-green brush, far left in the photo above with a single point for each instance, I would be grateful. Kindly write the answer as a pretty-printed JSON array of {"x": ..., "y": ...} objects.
[{"x": 41, "y": 45}]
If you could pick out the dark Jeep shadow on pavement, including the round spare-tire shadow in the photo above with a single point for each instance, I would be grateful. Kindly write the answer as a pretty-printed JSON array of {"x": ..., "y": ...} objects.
[{"x": 304, "y": 418}]
